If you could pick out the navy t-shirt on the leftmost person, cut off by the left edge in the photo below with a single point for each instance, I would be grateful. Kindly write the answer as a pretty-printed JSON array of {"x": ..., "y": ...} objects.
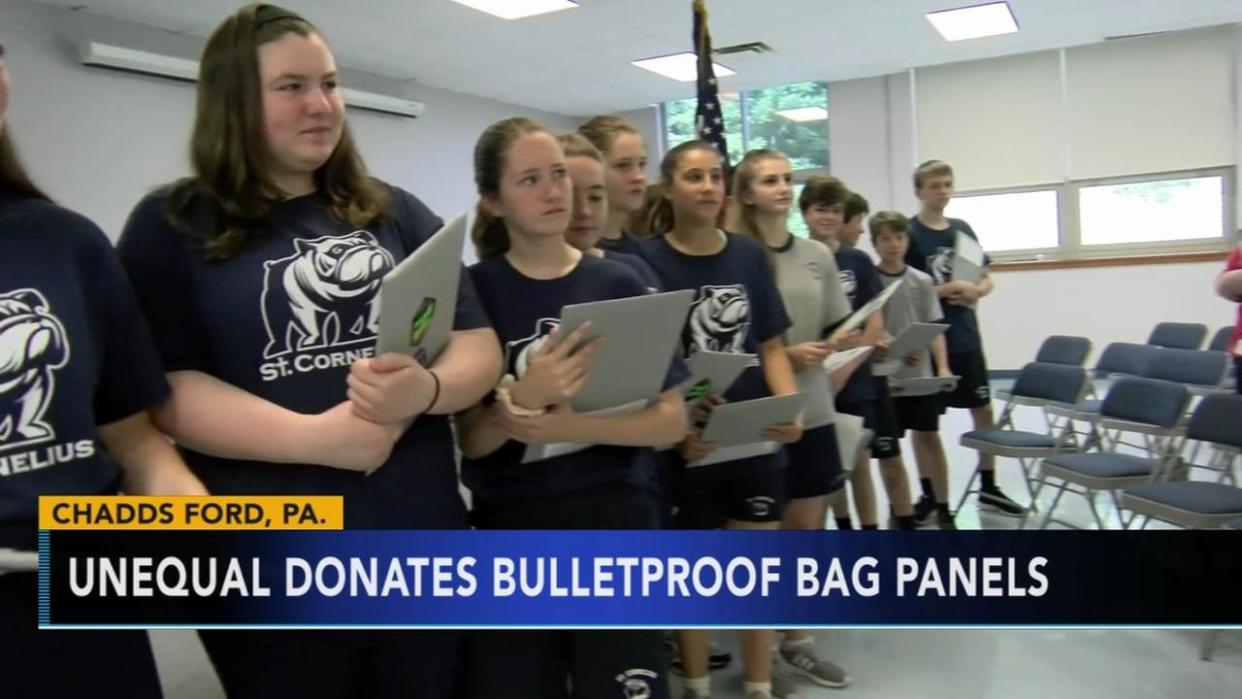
[{"x": 75, "y": 353}]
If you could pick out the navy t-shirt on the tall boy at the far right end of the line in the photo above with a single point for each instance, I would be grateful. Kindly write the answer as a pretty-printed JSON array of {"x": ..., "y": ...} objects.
[{"x": 932, "y": 251}]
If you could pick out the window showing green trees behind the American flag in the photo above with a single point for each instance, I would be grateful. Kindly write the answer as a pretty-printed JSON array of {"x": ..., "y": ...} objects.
[{"x": 792, "y": 119}]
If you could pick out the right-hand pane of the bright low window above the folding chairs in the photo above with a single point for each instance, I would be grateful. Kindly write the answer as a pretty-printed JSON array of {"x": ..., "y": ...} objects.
[{"x": 1152, "y": 212}]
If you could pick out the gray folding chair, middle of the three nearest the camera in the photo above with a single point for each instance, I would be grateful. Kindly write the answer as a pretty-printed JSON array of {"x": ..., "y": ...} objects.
[{"x": 1138, "y": 407}]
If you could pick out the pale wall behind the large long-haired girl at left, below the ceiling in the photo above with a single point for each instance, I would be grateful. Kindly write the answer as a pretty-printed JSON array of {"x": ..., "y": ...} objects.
[{"x": 100, "y": 140}]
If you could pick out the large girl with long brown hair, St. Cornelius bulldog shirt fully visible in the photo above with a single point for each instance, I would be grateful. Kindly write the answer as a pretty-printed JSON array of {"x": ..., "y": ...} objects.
[{"x": 259, "y": 275}]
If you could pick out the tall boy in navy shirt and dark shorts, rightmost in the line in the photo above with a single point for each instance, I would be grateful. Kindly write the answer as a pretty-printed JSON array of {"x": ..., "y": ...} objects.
[{"x": 933, "y": 239}]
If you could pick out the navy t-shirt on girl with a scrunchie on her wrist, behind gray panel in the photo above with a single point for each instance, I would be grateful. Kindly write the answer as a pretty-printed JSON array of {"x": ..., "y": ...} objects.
[{"x": 525, "y": 311}]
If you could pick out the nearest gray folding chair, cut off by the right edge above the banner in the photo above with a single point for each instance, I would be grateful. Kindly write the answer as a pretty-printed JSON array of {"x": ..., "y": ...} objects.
[{"x": 1198, "y": 505}]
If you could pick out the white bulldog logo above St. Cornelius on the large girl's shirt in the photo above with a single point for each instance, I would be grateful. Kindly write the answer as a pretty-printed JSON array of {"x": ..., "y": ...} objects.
[{"x": 325, "y": 294}]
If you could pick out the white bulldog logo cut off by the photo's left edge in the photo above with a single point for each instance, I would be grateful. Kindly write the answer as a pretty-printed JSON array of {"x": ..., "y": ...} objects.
[{"x": 33, "y": 347}]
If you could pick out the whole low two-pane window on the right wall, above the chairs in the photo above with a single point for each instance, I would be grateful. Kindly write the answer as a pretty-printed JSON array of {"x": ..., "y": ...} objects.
[{"x": 1159, "y": 213}]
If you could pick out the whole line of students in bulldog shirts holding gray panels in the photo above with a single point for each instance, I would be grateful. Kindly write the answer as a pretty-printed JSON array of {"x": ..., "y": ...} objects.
[{"x": 238, "y": 313}]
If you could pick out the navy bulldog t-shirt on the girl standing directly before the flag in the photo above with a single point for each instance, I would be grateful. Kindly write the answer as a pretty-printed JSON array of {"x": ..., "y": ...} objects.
[{"x": 736, "y": 309}]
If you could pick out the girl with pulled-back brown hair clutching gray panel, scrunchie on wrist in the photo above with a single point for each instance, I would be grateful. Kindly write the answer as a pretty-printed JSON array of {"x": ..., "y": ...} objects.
[{"x": 526, "y": 275}]
